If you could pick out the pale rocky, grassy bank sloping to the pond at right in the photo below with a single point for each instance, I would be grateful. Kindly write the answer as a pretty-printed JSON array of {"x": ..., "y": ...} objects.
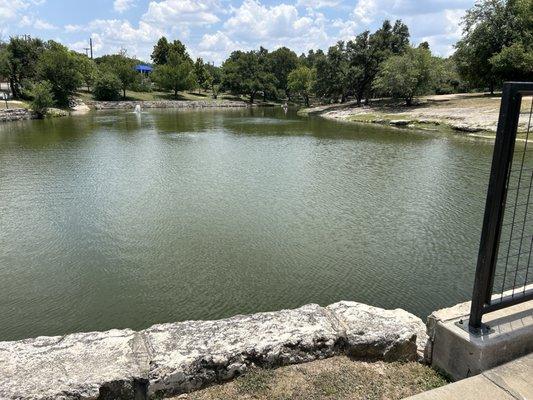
[{"x": 475, "y": 114}]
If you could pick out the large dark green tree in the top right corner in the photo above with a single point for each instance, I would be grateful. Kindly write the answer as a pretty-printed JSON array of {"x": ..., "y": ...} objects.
[{"x": 490, "y": 27}]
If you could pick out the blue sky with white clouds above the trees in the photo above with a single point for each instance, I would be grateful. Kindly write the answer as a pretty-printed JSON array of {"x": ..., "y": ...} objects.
[{"x": 213, "y": 28}]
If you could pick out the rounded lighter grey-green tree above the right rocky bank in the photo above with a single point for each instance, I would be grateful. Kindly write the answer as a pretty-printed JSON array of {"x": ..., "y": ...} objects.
[{"x": 407, "y": 75}]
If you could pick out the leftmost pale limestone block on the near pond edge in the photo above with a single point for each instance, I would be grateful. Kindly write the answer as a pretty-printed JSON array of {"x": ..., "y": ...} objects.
[{"x": 78, "y": 366}]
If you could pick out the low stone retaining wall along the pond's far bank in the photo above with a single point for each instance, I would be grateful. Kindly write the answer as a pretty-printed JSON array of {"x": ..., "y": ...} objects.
[{"x": 130, "y": 105}]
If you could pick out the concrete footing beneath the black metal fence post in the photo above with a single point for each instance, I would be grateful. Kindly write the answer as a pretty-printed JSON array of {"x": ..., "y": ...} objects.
[{"x": 456, "y": 352}]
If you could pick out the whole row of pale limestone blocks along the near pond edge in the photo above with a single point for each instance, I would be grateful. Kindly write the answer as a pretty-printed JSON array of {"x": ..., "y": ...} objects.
[{"x": 175, "y": 358}]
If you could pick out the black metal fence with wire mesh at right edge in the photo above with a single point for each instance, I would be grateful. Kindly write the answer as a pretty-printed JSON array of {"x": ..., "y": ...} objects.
[{"x": 505, "y": 253}]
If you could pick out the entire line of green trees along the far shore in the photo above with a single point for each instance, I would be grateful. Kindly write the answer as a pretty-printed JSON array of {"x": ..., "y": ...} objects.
[{"x": 497, "y": 45}]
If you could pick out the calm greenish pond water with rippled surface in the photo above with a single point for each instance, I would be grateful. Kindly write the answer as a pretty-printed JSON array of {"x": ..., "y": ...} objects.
[{"x": 113, "y": 220}]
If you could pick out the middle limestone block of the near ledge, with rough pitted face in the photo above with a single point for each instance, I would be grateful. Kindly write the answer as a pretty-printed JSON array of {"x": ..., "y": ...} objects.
[{"x": 192, "y": 354}]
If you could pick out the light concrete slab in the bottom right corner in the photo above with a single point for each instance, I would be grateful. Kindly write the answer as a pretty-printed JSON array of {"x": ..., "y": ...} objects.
[{"x": 513, "y": 380}]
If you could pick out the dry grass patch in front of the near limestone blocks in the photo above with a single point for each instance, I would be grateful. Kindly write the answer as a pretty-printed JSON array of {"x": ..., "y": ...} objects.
[{"x": 337, "y": 378}]
